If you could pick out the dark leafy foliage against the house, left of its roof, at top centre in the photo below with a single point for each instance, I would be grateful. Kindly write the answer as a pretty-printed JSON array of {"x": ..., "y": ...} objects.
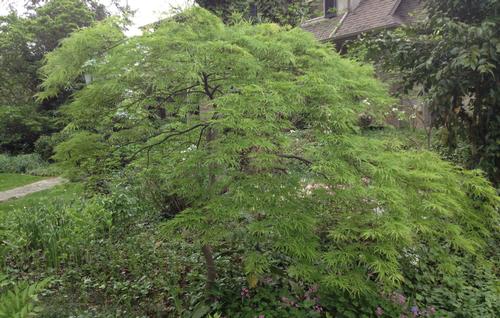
[{"x": 290, "y": 12}]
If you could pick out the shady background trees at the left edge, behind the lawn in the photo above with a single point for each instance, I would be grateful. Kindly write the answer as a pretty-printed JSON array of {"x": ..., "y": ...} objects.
[{"x": 24, "y": 42}]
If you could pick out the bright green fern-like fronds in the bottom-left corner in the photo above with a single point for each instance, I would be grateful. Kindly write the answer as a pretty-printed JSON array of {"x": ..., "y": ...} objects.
[{"x": 19, "y": 300}]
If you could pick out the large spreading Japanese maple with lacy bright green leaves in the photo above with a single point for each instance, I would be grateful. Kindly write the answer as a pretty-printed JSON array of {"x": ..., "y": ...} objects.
[{"x": 252, "y": 129}]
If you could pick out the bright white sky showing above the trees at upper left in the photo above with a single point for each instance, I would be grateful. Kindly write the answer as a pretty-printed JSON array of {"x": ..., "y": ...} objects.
[{"x": 148, "y": 11}]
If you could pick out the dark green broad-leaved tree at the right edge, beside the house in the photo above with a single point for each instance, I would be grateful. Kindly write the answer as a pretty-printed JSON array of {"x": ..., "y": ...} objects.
[{"x": 454, "y": 56}]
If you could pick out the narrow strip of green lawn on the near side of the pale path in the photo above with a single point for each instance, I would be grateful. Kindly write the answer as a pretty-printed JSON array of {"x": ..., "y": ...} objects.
[{"x": 64, "y": 192}]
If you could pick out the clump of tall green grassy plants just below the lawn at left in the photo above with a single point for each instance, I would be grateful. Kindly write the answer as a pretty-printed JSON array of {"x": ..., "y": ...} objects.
[{"x": 53, "y": 234}]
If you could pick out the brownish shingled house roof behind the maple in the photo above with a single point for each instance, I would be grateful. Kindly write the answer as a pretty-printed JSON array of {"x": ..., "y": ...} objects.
[{"x": 369, "y": 15}]
